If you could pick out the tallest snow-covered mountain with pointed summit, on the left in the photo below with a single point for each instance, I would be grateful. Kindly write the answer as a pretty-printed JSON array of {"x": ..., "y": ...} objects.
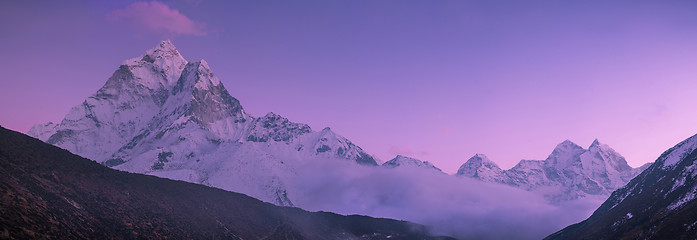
[{"x": 162, "y": 115}]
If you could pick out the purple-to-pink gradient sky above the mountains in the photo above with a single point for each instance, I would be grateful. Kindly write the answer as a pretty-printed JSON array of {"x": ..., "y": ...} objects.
[{"x": 435, "y": 80}]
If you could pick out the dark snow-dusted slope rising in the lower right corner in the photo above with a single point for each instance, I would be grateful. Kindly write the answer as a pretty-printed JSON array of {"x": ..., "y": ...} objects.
[{"x": 660, "y": 203}]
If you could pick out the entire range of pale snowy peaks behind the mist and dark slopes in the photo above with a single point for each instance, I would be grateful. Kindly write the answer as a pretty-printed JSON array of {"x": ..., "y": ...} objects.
[{"x": 162, "y": 115}]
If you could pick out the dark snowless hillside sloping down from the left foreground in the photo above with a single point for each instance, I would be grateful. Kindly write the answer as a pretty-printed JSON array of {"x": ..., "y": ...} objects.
[{"x": 49, "y": 193}]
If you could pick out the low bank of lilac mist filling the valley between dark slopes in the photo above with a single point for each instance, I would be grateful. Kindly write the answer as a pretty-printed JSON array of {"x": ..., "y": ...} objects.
[{"x": 459, "y": 207}]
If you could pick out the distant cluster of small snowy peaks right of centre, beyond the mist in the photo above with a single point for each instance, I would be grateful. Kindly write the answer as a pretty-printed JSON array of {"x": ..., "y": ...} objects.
[{"x": 570, "y": 171}]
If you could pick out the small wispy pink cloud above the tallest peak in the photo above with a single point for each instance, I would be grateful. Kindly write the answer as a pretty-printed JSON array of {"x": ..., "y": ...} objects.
[{"x": 157, "y": 17}]
